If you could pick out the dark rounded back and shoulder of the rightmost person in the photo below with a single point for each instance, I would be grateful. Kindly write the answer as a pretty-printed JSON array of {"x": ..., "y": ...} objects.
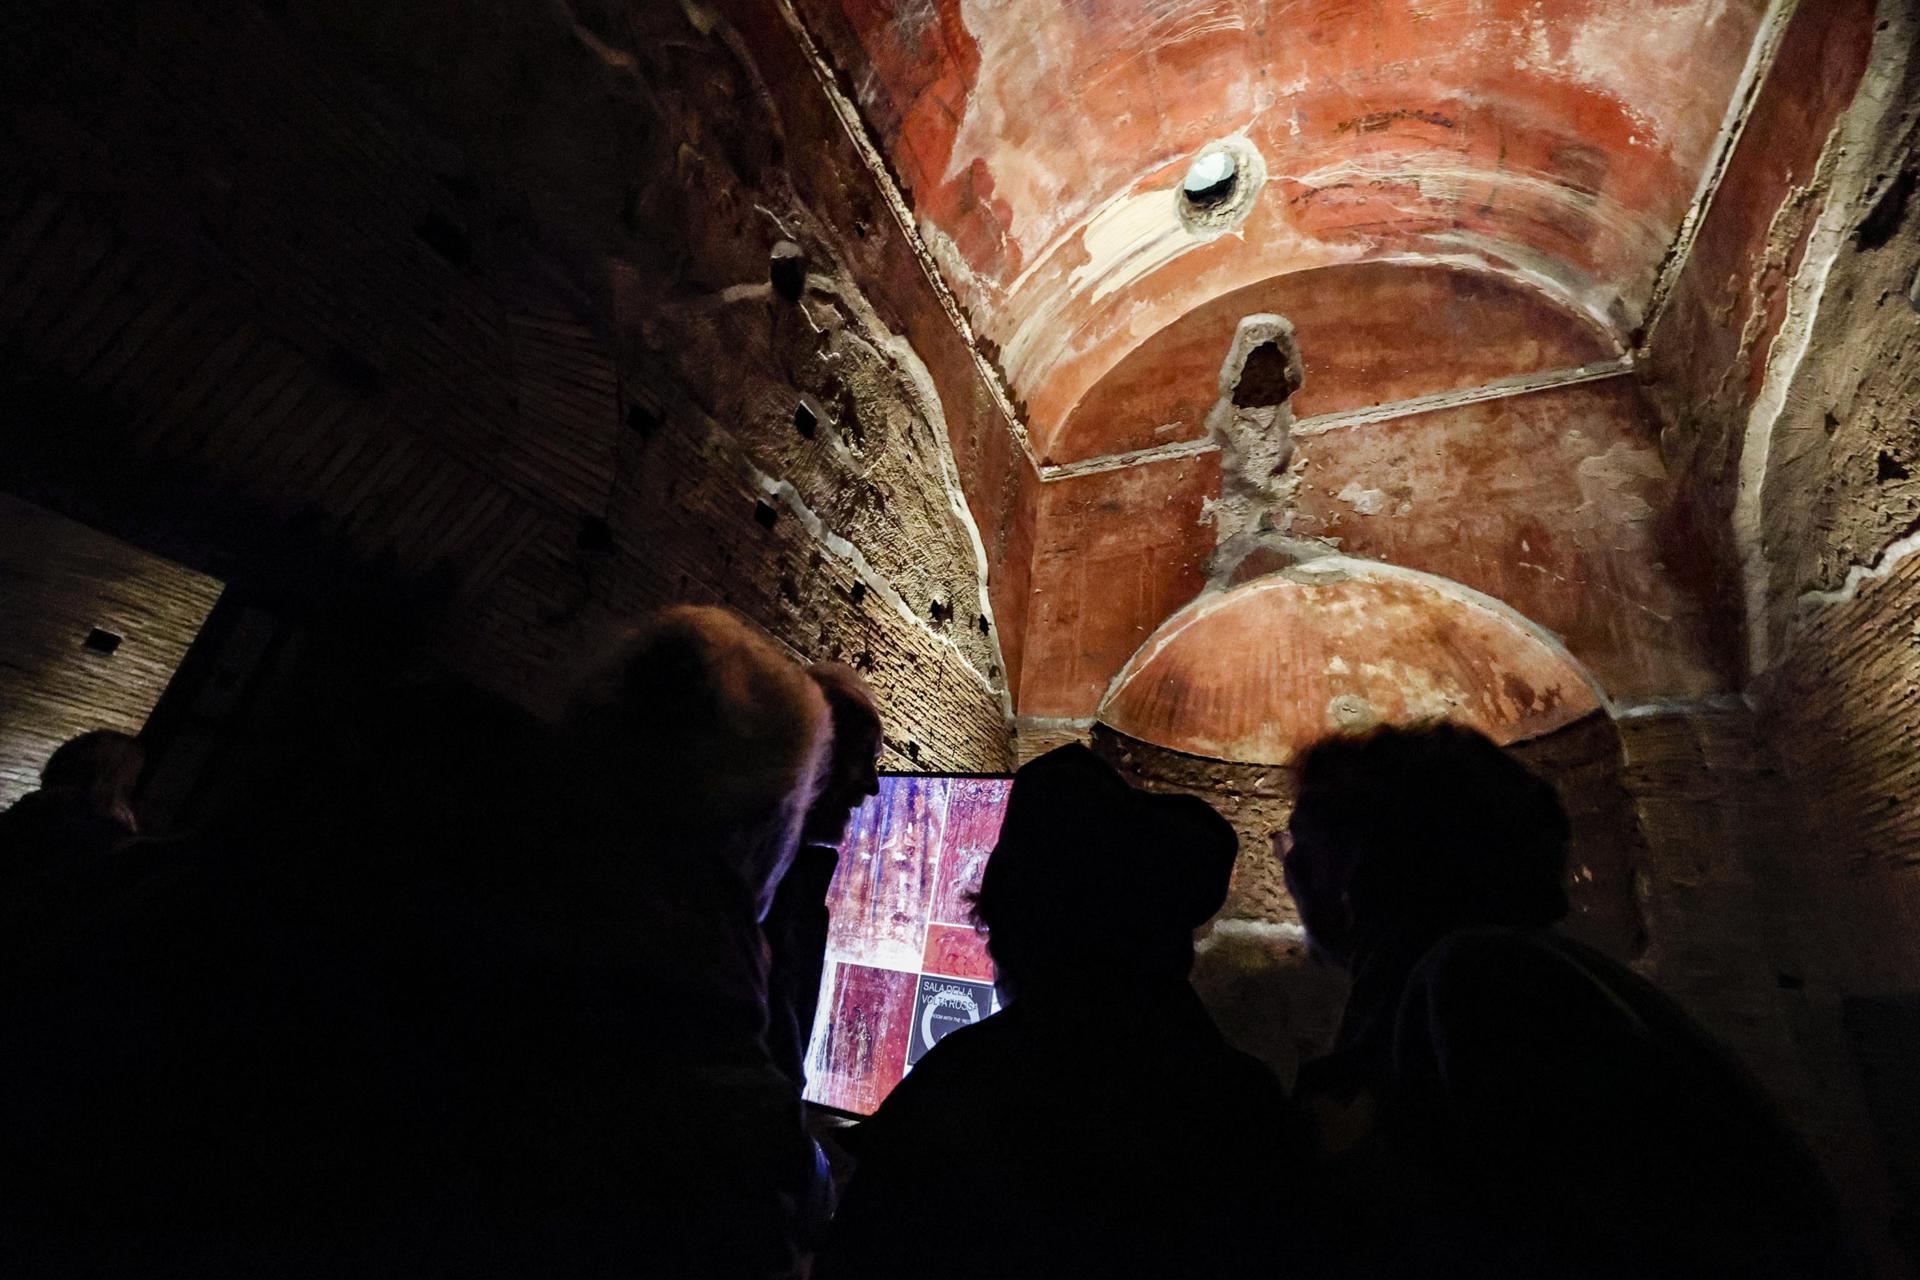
[{"x": 1562, "y": 1099}]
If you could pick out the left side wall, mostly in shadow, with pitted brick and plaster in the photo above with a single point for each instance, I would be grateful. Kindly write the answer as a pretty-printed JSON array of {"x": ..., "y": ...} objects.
[{"x": 487, "y": 298}]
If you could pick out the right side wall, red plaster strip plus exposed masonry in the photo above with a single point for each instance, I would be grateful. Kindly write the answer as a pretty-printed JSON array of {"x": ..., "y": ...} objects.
[{"x": 1788, "y": 366}]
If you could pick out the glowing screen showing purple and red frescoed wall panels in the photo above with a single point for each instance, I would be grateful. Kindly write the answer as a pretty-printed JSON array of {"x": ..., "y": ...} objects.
[{"x": 905, "y": 966}]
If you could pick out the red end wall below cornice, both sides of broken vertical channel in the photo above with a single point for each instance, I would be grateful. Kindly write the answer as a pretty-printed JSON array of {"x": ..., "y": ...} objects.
[{"x": 1547, "y": 502}]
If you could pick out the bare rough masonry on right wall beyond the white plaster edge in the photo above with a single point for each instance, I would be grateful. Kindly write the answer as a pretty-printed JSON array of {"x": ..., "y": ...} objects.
[{"x": 1838, "y": 584}]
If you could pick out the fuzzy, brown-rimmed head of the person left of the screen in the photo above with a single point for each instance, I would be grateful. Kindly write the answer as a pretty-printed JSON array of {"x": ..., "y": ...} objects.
[{"x": 709, "y": 734}]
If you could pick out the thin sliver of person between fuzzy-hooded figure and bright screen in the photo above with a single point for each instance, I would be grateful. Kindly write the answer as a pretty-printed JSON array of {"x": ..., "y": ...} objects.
[{"x": 798, "y": 924}]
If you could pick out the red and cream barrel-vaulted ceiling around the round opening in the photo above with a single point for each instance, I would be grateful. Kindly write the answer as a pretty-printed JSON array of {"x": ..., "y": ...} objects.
[{"x": 1552, "y": 141}]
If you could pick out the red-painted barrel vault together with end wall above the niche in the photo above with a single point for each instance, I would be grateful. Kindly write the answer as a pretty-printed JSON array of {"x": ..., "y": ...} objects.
[{"x": 1468, "y": 208}]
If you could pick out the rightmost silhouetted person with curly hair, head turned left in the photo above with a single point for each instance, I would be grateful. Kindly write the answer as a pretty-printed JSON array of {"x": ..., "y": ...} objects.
[{"x": 1506, "y": 1101}]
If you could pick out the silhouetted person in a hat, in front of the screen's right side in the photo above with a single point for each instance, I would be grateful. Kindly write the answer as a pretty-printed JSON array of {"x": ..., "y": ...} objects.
[{"x": 1099, "y": 1126}]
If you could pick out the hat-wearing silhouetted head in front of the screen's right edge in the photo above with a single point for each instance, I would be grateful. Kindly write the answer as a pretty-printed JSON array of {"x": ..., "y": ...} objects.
[{"x": 1093, "y": 880}]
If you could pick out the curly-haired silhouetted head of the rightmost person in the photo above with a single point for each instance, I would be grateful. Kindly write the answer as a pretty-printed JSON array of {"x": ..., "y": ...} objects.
[{"x": 1410, "y": 834}]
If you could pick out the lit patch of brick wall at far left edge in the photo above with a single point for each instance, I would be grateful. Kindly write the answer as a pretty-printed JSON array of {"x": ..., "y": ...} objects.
[{"x": 59, "y": 584}]
